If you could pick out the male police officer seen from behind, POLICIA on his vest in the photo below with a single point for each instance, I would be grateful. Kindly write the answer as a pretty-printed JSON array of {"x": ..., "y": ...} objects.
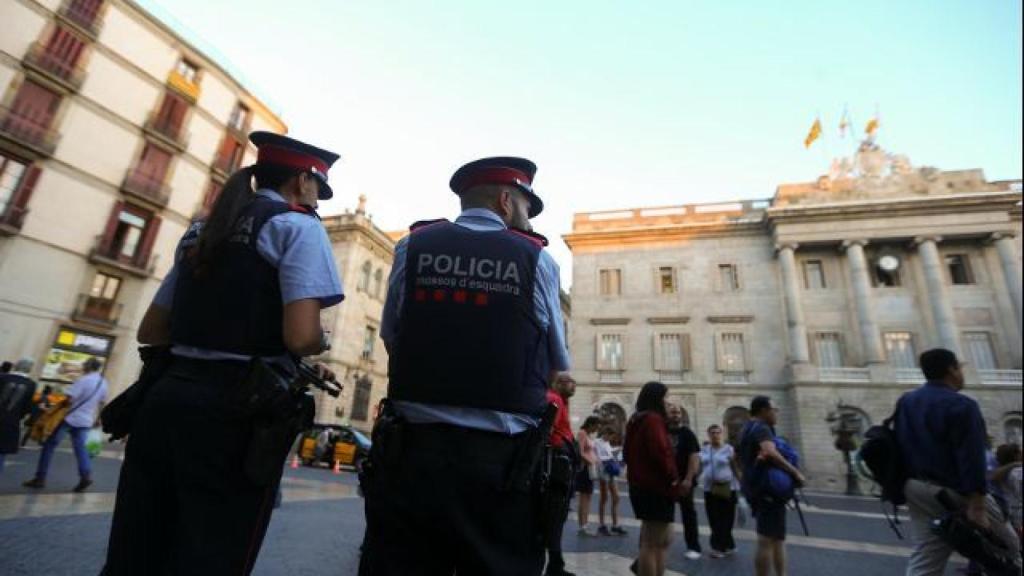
[{"x": 475, "y": 334}]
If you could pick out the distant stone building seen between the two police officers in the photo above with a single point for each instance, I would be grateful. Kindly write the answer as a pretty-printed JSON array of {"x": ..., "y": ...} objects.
[{"x": 364, "y": 255}]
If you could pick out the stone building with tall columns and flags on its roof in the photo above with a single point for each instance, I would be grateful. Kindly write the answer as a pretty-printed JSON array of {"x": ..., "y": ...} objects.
[{"x": 821, "y": 298}]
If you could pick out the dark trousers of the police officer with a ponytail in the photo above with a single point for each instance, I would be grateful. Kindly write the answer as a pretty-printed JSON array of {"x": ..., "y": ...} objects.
[{"x": 184, "y": 505}]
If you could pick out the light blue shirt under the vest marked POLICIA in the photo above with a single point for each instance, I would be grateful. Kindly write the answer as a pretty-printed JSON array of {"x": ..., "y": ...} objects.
[{"x": 549, "y": 313}]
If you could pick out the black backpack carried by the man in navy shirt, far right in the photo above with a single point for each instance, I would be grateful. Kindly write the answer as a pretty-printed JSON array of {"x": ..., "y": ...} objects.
[{"x": 881, "y": 455}]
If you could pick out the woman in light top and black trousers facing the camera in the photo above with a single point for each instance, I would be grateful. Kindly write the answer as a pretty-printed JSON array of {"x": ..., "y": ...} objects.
[{"x": 720, "y": 479}]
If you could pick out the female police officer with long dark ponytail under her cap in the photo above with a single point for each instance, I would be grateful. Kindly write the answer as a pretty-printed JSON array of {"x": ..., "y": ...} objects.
[{"x": 248, "y": 283}]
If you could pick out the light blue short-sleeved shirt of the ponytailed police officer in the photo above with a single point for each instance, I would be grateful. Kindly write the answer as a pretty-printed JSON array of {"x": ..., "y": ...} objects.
[{"x": 295, "y": 244}]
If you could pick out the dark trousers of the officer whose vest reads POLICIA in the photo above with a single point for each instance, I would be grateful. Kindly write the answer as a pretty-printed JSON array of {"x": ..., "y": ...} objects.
[{"x": 437, "y": 504}]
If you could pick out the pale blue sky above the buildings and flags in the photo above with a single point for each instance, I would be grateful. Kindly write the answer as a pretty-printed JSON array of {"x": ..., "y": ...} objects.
[{"x": 622, "y": 104}]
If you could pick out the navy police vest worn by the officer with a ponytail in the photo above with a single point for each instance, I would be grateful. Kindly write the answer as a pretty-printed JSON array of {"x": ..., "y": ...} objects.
[{"x": 235, "y": 305}]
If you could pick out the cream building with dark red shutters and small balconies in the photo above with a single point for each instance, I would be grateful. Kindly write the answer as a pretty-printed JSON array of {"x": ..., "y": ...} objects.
[{"x": 115, "y": 132}]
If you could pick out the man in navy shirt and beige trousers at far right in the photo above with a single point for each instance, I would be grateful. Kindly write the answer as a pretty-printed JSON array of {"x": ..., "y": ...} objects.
[{"x": 942, "y": 435}]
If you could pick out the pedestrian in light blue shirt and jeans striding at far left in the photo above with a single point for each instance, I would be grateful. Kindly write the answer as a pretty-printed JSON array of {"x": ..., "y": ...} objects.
[{"x": 84, "y": 398}]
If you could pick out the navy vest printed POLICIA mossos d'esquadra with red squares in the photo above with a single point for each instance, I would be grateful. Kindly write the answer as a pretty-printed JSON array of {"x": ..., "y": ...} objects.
[{"x": 470, "y": 335}]
